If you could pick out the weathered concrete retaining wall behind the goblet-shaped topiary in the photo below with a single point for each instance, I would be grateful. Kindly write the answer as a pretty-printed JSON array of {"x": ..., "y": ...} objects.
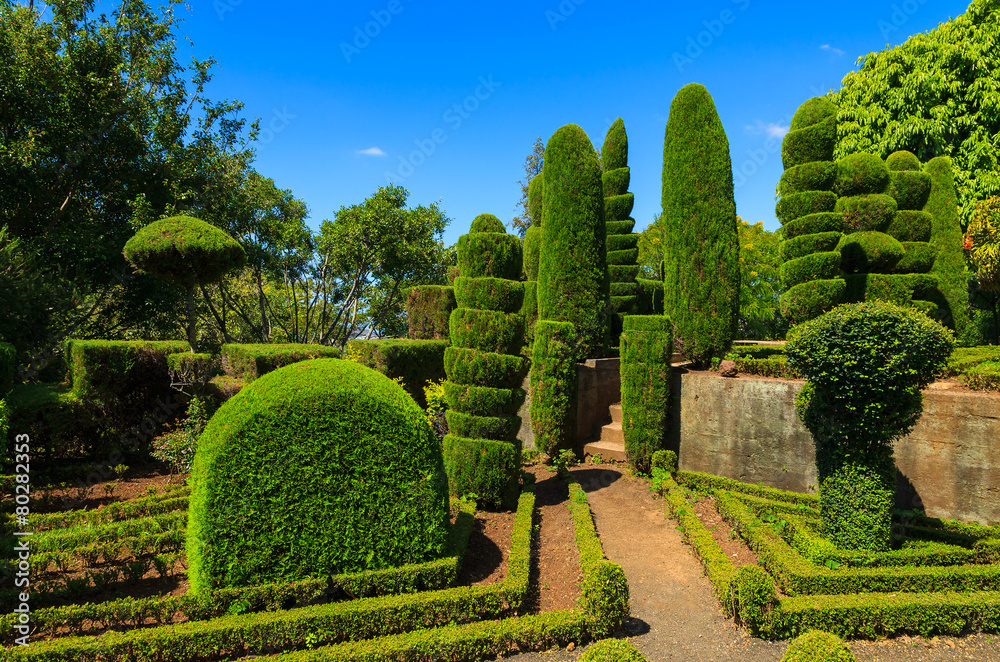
[{"x": 747, "y": 429}]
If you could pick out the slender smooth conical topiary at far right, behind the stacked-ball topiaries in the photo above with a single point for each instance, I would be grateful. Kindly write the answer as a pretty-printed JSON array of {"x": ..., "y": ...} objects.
[{"x": 949, "y": 264}]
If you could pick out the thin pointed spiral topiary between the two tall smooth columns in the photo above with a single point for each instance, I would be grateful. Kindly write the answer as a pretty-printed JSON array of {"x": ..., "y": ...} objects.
[{"x": 622, "y": 243}]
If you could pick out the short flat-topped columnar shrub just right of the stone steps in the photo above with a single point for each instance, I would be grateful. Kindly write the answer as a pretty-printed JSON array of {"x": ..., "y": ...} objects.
[{"x": 646, "y": 349}]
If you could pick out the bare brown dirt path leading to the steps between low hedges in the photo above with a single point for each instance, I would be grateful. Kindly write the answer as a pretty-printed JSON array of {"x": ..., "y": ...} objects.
[{"x": 675, "y": 616}]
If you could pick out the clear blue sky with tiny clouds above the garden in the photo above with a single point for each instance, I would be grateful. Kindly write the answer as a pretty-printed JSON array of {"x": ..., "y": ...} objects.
[{"x": 446, "y": 98}]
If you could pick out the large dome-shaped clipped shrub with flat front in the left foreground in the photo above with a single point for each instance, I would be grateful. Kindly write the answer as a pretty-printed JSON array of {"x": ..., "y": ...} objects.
[{"x": 318, "y": 443}]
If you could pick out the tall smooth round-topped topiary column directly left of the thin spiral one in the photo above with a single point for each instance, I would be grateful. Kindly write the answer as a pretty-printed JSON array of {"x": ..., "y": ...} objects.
[{"x": 573, "y": 281}]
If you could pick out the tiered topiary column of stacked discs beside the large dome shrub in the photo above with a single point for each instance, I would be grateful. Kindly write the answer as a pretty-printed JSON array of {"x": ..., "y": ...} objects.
[{"x": 484, "y": 366}]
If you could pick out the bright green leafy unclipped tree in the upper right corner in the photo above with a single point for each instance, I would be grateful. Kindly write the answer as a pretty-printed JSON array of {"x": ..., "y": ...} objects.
[{"x": 933, "y": 96}]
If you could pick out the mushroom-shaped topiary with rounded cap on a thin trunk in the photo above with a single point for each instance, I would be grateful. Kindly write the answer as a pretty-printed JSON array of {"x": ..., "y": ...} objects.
[{"x": 185, "y": 250}]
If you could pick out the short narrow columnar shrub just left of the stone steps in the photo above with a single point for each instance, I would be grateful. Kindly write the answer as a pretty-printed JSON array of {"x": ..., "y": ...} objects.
[{"x": 553, "y": 386}]
